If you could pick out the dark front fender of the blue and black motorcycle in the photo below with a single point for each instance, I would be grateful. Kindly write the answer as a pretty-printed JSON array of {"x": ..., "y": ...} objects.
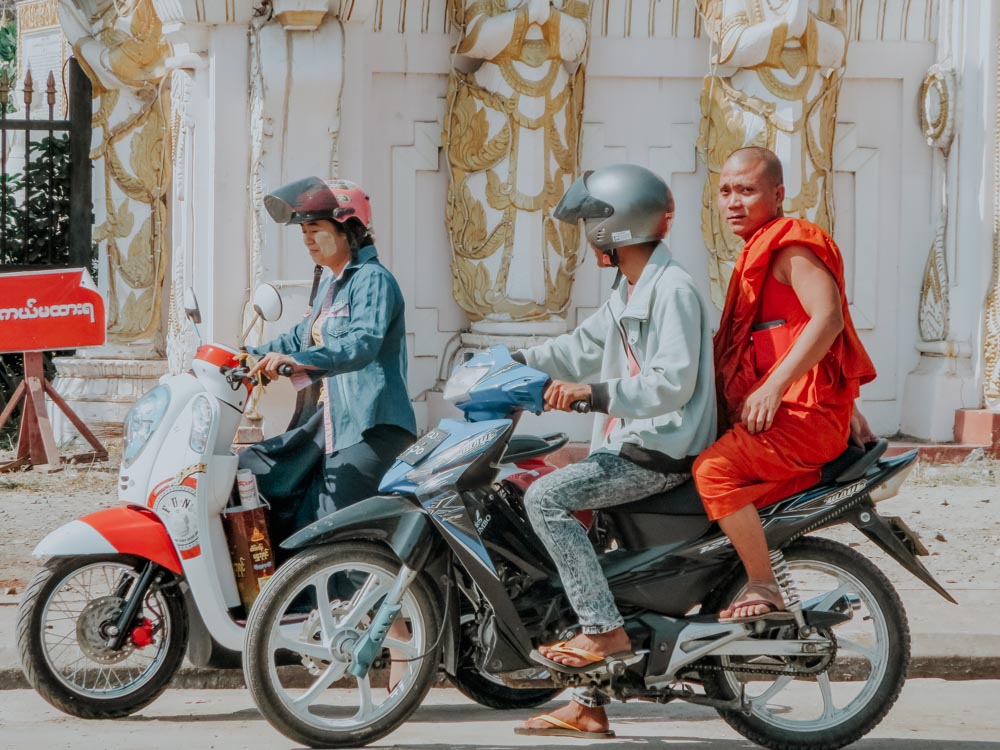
[{"x": 398, "y": 522}]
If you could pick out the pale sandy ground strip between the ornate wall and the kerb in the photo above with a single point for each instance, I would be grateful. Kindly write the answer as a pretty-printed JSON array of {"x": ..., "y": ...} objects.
[{"x": 954, "y": 508}]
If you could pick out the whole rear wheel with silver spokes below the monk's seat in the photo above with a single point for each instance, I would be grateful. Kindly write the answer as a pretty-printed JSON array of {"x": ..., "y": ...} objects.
[{"x": 873, "y": 652}]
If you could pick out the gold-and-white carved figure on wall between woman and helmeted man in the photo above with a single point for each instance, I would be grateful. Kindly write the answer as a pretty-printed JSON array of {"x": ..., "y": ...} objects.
[{"x": 512, "y": 139}]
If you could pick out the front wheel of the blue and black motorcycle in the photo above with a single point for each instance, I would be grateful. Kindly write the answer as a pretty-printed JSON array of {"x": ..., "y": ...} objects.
[{"x": 281, "y": 709}]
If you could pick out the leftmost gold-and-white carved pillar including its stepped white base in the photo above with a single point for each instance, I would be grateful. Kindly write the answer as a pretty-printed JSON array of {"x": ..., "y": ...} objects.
[{"x": 122, "y": 49}]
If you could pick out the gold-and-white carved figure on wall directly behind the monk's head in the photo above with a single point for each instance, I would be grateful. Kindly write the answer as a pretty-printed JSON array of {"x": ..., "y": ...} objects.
[{"x": 777, "y": 69}]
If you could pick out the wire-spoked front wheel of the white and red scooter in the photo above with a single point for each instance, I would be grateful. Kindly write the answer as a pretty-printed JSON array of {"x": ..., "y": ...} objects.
[{"x": 63, "y": 689}]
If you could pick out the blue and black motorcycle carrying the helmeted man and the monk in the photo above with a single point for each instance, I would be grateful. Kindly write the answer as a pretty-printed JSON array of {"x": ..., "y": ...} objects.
[{"x": 447, "y": 550}]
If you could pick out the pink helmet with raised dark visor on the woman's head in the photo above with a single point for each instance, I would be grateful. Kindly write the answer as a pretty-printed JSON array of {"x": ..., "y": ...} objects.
[{"x": 313, "y": 199}]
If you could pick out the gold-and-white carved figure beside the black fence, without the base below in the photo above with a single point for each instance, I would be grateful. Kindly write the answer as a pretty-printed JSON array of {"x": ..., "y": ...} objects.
[{"x": 122, "y": 49}]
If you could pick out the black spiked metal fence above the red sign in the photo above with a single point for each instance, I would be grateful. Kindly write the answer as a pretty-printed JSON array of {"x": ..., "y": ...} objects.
[{"x": 46, "y": 210}]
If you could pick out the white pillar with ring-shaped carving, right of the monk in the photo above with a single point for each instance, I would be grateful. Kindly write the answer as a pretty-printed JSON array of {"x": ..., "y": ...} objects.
[{"x": 942, "y": 387}]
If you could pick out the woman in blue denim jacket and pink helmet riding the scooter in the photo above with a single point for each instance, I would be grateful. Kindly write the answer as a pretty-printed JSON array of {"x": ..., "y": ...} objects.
[{"x": 351, "y": 350}]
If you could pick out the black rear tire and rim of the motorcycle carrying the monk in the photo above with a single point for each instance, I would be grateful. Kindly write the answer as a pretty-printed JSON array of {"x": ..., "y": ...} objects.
[{"x": 887, "y": 618}]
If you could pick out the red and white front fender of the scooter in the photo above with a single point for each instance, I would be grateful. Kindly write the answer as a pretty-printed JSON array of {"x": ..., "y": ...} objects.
[{"x": 126, "y": 530}]
